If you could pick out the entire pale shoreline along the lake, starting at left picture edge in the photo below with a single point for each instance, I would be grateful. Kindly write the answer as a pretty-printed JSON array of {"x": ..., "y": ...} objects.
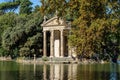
[{"x": 50, "y": 61}]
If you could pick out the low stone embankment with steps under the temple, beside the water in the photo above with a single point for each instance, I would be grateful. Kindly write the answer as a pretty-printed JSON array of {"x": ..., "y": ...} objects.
[{"x": 48, "y": 60}]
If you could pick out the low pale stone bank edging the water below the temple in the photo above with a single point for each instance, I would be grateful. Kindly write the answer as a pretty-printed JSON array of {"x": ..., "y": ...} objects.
[{"x": 59, "y": 62}]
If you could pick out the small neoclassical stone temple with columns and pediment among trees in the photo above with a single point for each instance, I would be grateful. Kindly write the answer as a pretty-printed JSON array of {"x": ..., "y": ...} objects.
[{"x": 59, "y": 30}]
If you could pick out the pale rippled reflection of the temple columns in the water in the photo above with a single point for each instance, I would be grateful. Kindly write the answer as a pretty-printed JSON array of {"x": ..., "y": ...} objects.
[{"x": 60, "y": 72}]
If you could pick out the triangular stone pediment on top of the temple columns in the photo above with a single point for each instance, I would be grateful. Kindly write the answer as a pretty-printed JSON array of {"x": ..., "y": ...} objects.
[{"x": 54, "y": 22}]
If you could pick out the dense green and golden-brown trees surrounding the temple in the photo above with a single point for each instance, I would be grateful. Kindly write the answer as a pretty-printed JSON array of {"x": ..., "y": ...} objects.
[{"x": 95, "y": 27}]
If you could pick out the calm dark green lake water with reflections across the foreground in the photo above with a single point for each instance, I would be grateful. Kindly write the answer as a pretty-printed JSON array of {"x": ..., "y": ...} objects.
[{"x": 16, "y": 71}]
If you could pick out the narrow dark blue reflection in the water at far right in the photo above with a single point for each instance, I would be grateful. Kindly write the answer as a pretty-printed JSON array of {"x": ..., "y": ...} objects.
[{"x": 113, "y": 73}]
